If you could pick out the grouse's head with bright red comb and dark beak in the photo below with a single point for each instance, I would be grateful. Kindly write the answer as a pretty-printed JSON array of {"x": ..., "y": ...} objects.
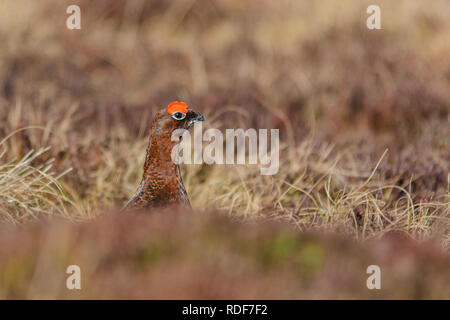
[{"x": 176, "y": 116}]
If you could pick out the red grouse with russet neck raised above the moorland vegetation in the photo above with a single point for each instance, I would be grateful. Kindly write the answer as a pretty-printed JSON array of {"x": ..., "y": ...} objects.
[{"x": 161, "y": 183}]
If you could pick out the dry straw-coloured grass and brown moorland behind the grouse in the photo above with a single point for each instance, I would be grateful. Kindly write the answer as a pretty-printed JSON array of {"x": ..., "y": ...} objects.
[{"x": 363, "y": 115}]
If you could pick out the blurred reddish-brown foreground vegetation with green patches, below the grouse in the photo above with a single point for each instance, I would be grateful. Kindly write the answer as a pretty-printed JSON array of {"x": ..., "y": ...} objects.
[{"x": 180, "y": 255}]
